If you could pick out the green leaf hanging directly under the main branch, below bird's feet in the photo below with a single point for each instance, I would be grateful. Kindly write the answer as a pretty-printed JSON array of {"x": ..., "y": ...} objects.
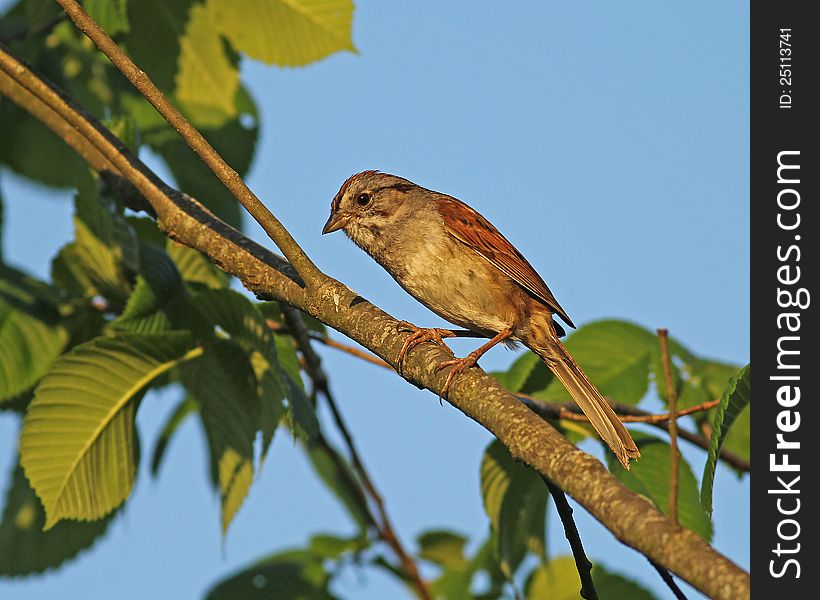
[{"x": 515, "y": 500}]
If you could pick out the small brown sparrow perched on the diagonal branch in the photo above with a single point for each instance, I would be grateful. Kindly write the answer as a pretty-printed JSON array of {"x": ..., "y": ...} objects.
[{"x": 456, "y": 263}]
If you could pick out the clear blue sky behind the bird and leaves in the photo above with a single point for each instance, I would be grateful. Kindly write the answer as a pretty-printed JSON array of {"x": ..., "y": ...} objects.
[{"x": 608, "y": 141}]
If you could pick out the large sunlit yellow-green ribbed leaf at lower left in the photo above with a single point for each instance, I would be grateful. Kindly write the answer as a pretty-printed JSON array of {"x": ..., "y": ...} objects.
[{"x": 78, "y": 443}]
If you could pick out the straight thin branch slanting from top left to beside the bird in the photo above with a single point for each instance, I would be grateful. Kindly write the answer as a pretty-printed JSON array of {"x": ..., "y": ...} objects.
[{"x": 197, "y": 142}]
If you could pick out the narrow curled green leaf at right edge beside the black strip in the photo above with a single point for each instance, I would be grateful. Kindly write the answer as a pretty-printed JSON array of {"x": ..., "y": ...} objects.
[{"x": 736, "y": 397}]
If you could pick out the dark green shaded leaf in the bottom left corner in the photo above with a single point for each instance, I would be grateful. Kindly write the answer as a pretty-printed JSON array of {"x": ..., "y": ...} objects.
[{"x": 25, "y": 548}]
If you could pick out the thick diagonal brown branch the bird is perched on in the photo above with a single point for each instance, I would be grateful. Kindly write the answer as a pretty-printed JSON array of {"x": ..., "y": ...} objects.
[{"x": 530, "y": 439}]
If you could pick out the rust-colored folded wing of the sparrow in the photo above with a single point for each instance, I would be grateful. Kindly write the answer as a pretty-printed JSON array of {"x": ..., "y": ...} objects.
[{"x": 473, "y": 230}]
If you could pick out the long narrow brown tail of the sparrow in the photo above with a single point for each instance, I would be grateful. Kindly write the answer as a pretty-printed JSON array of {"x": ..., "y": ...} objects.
[{"x": 587, "y": 396}]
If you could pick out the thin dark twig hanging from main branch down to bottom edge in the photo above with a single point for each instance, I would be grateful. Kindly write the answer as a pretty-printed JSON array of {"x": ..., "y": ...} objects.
[{"x": 296, "y": 327}]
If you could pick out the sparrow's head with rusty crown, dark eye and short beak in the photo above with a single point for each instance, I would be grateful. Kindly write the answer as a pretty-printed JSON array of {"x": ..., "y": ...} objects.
[{"x": 367, "y": 204}]
